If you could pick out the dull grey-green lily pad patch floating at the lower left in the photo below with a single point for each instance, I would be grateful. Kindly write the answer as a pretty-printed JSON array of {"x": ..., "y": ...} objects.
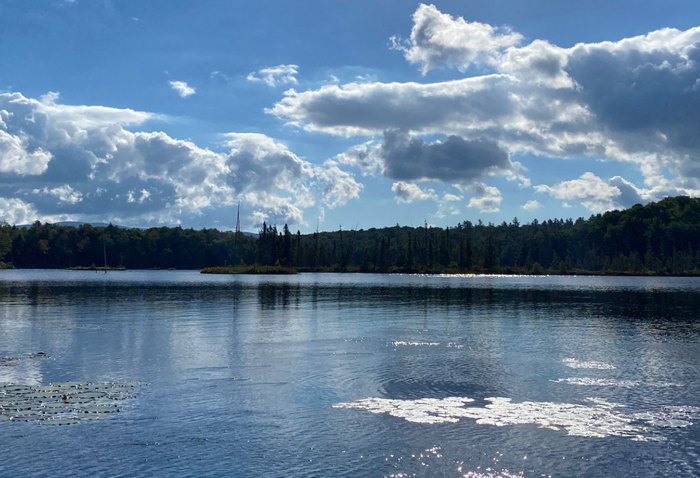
[{"x": 63, "y": 403}]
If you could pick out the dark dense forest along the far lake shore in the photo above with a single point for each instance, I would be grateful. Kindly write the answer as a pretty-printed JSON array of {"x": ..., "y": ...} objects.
[{"x": 658, "y": 238}]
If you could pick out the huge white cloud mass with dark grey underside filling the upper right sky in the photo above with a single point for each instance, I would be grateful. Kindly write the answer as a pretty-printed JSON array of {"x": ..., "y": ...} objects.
[{"x": 635, "y": 100}]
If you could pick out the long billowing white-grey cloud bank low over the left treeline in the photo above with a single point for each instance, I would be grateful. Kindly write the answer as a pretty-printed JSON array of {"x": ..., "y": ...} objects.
[{"x": 81, "y": 162}]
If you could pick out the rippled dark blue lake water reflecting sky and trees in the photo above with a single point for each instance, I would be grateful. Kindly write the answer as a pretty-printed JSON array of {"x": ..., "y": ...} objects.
[{"x": 355, "y": 375}]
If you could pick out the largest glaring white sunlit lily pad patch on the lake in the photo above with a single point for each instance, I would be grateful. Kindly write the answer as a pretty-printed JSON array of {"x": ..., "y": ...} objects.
[{"x": 597, "y": 418}]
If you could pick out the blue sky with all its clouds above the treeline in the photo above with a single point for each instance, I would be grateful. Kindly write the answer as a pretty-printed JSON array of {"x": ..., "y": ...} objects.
[{"x": 348, "y": 115}]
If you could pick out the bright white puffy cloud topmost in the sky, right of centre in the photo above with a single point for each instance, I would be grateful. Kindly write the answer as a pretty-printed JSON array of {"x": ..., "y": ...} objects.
[{"x": 439, "y": 40}]
